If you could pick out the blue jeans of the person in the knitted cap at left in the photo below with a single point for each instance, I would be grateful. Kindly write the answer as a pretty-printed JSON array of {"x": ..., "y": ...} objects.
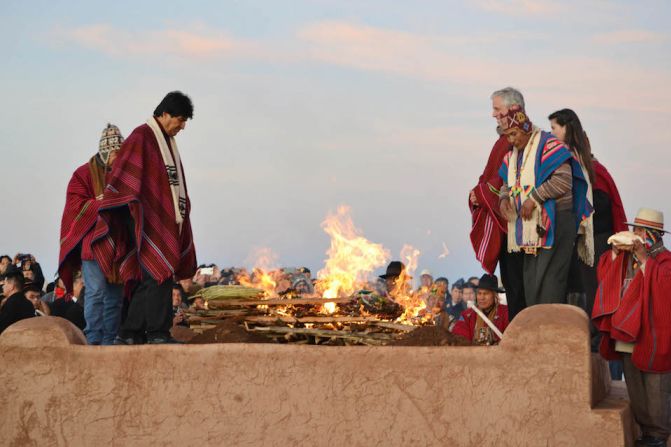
[{"x": 102, "y": 305}]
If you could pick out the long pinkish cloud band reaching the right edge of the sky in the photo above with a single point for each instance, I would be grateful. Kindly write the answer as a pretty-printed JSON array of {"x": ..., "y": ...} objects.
[{"x": 596, "y": 82}]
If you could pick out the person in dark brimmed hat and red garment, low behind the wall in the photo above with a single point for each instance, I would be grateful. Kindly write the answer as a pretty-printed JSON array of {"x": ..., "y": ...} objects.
[{"x": 471, "y": 326}]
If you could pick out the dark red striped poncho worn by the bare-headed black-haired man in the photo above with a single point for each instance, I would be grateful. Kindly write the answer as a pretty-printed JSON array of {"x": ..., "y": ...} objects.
[{"x": 137, "y": 228}]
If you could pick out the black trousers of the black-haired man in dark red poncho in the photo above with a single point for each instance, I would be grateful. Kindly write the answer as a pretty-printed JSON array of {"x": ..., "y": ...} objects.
[{"x": 149, "y": 311}]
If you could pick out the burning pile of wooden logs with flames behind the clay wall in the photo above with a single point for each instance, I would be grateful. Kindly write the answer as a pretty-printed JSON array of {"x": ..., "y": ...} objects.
[{"x": 343, "y": 309}]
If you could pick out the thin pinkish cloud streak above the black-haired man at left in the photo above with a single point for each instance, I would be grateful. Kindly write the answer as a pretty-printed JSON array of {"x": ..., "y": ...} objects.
[{"x": 115, "y": 41}]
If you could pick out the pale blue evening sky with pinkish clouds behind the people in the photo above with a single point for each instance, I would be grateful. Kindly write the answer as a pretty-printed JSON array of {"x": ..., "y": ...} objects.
[{"x": 301, "y": 106}]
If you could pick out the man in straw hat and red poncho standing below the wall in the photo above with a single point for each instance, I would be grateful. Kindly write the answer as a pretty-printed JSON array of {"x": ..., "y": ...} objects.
[{"x": 632, "y": 310}]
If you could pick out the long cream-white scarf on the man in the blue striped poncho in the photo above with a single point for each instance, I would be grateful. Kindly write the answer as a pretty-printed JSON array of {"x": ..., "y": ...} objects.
[{"x": 530, "y": 238}]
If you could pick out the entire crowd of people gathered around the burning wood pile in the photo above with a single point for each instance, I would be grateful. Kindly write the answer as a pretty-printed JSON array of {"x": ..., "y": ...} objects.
[{"x": 543, "y": 211}]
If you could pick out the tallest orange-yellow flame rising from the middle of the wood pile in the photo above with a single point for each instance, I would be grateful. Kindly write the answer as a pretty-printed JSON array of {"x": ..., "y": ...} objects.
[{"x": 351, "y": 258}]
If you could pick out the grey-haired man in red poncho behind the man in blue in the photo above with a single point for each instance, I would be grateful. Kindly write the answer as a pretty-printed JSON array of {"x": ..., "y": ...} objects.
[{"x": 488, "y": 234}]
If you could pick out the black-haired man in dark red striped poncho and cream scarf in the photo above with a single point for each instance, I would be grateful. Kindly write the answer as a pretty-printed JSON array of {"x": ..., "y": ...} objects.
[{"x": 144, "y": 230}]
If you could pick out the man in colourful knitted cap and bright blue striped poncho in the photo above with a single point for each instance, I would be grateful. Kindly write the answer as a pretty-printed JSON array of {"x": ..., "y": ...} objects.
[{"x": 544, "y": 199}]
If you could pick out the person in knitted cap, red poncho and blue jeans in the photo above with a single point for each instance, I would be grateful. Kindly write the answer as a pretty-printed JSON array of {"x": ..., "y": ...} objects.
[{"x": 102, "y": 303}]
